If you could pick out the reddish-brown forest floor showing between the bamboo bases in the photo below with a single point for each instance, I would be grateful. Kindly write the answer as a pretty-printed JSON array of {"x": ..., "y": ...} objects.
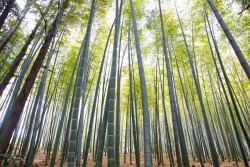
[{"x": 40, "y": 162}]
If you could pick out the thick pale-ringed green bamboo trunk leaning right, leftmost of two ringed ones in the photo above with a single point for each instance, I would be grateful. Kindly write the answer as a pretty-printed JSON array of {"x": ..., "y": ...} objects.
[{"x": 75, "y": 145}]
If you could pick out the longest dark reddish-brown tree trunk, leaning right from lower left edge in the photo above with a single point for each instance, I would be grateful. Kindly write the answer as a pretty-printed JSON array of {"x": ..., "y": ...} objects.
[{"x": 18, "y": 105}]
